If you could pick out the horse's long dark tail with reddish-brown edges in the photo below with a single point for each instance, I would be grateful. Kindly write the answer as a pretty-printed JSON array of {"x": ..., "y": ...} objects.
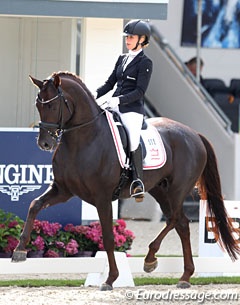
[{"x": 210, "y": 189}]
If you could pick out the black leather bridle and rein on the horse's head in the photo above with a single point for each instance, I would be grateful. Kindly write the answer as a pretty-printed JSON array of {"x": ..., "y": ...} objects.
[{"x": 59, "y": 128}]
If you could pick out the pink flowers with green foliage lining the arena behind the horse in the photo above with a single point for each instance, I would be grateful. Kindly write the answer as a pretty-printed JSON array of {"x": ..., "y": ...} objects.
[{"x": 53, "y": 240}]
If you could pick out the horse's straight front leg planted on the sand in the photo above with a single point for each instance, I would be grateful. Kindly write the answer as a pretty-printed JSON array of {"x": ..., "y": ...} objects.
[{"x": 105, "y": 216}]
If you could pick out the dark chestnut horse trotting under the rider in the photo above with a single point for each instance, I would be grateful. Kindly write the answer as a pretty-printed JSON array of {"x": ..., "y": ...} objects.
[{"x": 85, "y": 163}]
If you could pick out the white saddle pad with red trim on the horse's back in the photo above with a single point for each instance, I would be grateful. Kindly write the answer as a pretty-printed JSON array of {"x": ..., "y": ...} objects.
[{"x": 156, "y": 155}]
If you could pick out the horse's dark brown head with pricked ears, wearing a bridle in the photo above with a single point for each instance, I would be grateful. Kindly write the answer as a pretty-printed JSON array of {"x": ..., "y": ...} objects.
[{"x": 53, "y": 109}]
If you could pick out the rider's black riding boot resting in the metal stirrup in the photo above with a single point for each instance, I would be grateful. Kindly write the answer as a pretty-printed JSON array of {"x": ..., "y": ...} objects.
[{"x": 137, "y": 187}]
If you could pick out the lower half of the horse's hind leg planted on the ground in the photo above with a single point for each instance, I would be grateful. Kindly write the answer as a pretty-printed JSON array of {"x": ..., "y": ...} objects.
[{"x": 182, "y": 228}]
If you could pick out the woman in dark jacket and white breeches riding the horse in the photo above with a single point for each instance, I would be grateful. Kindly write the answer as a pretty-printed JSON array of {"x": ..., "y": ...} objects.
[{"x": 132, "y": 74}]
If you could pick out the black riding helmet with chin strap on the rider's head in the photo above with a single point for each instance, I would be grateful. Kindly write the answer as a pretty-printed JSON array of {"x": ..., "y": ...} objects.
[{"x": 140, "y": 28}]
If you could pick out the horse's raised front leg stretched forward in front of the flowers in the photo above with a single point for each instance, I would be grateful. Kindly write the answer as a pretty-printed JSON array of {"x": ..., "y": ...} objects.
[{"x": 49, "y": 198}]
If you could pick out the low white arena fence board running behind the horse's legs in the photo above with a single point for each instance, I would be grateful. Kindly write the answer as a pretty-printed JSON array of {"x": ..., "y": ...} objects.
[{"x": 99, "y": 266}]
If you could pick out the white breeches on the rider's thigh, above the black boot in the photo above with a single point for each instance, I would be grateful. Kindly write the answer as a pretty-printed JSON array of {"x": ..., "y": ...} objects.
[{"x": 133, "y": 124}]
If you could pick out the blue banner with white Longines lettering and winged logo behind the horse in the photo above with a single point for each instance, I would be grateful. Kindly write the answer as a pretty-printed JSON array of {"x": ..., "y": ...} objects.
[{"x": 25, "y": 173}]
